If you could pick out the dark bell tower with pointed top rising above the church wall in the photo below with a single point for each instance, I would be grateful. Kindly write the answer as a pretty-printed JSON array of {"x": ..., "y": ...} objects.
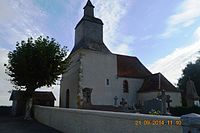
[{"x": 89, "y": 31}]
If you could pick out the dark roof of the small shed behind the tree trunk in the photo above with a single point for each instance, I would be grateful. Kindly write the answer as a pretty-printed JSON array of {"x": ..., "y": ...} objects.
[{"x": 39, "y": 95}]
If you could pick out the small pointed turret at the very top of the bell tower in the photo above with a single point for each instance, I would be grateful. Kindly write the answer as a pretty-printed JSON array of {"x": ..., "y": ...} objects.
[{"x": 89, "y": 9}]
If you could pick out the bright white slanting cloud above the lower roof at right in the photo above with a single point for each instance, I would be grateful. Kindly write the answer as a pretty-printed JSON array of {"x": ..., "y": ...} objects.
[{"x": 173, "y": 64}]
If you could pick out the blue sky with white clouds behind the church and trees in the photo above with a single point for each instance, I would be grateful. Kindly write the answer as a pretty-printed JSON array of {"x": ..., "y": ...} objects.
[{"x": 164, "y": 35}]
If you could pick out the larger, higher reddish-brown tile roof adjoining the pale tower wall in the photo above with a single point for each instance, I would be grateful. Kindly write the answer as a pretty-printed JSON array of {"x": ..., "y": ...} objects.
[{"x": 128, "y": 66}]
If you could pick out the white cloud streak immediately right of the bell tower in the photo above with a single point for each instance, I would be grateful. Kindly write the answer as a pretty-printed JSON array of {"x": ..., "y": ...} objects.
[{"x": 111, "y": 13}]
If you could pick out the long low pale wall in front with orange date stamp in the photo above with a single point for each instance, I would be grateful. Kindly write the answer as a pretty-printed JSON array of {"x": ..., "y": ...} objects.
[{"x": 90, "y": 121}]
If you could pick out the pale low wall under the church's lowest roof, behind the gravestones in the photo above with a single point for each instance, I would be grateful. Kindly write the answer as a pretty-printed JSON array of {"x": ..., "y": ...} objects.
[{"x": 174, "y": 96}]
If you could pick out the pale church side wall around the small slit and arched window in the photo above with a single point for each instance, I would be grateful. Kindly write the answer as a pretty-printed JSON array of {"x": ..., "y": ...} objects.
[{"x": 97, "y": 68}]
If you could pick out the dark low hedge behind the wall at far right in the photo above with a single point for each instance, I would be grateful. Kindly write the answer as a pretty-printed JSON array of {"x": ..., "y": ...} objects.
[{"x": 179, "y": 111}]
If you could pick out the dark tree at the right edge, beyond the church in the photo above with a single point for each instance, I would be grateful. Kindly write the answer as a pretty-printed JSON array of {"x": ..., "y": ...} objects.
[{"x": 192, "y": 71}]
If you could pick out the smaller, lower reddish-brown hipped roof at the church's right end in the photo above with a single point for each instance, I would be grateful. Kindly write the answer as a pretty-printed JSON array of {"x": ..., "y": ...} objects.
[{"x": 151, "y": 83}]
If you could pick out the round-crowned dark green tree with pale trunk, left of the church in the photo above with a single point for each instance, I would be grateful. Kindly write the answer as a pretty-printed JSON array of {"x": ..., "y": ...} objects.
[{"x": 36, "y": 63}]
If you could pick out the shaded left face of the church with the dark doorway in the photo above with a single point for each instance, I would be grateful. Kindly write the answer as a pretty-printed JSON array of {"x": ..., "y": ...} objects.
[{"x": 70, "y": 81}]
